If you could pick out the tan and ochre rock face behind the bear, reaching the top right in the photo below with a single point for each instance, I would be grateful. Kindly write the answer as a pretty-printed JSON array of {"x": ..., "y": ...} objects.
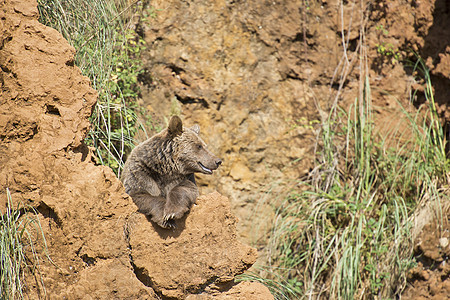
[{"x": 254, "y": 74}]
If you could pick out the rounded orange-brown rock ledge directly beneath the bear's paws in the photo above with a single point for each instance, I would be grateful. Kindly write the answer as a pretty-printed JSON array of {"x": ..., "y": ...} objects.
[{"x": 202, "y": 255}]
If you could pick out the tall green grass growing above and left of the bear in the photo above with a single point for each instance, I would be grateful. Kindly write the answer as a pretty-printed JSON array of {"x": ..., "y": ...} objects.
[{"x": 108, "y": 52}]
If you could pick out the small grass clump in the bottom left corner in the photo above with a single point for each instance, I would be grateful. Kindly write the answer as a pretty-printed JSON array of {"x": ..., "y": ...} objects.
[{"x": 18, "y": 228}]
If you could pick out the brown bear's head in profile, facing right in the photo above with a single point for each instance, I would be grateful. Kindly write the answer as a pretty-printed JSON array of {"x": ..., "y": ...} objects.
[{"x": 190, "y": 152}]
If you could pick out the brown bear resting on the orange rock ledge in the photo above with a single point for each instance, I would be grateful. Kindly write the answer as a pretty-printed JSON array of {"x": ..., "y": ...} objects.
[{"x": 159, "y": 173}]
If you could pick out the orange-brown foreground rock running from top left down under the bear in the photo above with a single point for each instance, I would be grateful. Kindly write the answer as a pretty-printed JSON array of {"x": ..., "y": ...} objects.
[{"x": 84, "y": 213}]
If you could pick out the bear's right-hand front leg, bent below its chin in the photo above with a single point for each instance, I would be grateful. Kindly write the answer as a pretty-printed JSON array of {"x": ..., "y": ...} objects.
[{"x": 180, "y": 200}]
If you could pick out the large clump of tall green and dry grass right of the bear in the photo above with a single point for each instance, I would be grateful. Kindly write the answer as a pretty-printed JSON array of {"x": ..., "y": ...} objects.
[{"x": 346, "y": 232}]
